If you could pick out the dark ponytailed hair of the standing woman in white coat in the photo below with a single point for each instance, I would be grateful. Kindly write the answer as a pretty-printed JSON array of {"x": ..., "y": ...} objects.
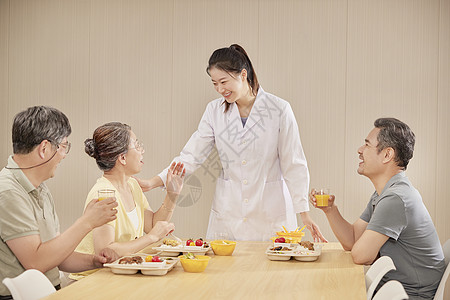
[{"x": 233, "y": 60}]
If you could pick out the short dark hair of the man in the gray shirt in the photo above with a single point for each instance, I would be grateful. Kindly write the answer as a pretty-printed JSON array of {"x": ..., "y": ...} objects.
[{"x": 397, "y": 135}]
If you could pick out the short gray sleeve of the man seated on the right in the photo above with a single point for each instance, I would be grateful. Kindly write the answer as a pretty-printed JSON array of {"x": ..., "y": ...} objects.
[{"x": 389, "y": 217}]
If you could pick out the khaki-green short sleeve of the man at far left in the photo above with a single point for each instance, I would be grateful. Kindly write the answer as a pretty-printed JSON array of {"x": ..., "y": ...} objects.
[{"x": 17, "y": 216}]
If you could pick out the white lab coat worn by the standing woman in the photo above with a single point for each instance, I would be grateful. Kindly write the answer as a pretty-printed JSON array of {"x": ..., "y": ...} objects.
[{"x": 264, "y": 179}]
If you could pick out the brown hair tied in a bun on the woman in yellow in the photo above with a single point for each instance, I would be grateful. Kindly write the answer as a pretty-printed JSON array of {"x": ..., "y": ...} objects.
[{"x": 107, "y": 143}]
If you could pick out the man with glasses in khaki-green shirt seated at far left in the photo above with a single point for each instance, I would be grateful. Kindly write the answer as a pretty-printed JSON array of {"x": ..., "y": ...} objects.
[{"x": 29, "y": 226}]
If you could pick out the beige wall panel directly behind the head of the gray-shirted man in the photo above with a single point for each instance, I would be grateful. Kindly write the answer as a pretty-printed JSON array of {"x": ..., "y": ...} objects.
[{"x": 392, "y": 72}]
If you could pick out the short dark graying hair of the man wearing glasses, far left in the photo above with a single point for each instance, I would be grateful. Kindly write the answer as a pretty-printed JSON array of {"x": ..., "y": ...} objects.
[{"x": 38, "y": 123}]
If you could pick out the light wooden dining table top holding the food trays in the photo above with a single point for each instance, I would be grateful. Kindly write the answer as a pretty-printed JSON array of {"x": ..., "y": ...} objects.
[{"x": 247, "y": 274}]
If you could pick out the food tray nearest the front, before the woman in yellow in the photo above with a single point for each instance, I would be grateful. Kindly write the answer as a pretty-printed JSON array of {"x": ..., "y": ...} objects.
[{"x": 146, "y": 268}]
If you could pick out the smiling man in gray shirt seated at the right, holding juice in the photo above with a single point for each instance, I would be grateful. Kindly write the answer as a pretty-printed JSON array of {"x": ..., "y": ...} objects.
[{"x": 395, "y": 222}]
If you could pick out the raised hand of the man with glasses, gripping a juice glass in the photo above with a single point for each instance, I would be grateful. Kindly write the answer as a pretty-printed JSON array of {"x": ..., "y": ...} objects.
[{"x": 98, "y": 213}]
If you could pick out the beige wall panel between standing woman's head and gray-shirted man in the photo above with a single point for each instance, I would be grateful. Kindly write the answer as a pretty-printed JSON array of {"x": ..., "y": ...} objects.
[{"x": 299, "y": 43}]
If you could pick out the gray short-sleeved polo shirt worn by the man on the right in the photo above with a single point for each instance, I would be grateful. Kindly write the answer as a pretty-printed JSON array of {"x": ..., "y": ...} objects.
[{"x": 413, "y": 243}]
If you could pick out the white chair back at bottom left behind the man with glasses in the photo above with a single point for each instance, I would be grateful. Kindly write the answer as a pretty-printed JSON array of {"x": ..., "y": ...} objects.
[{"x": 30, "y": 285}]
